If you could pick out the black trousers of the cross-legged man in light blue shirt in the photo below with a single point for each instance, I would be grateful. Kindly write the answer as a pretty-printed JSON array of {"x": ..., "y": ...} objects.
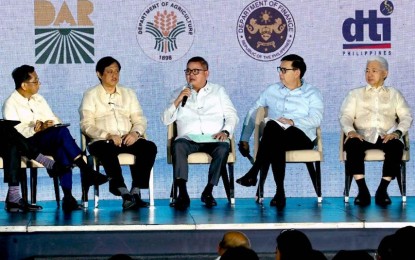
[{"x": 274, "y": 143}]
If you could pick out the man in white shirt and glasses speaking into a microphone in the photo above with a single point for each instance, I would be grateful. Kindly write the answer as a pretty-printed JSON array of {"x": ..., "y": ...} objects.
[{"x": 204, "y": 124}]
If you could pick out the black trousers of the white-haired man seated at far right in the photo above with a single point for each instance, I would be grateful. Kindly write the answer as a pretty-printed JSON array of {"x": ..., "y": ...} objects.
[{"x": 355, "y": 150}]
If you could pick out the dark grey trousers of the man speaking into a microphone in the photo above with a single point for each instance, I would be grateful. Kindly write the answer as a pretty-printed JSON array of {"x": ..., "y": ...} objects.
[{"x": 182, "y": 148}]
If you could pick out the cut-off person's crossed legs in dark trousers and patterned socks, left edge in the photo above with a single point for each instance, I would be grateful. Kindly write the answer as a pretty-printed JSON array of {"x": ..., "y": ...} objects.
[{"x": 12, "y": 146}]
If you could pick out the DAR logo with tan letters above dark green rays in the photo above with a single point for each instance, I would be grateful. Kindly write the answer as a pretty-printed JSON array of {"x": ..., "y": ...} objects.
[{"x": 60, "y": 37}]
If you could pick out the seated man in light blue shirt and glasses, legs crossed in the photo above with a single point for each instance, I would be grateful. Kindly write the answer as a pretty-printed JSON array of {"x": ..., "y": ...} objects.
[{"x": 295, "y": 110}]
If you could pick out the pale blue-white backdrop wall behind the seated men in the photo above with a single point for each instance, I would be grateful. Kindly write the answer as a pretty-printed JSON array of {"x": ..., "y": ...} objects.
[{"x": 211, "y": 32}]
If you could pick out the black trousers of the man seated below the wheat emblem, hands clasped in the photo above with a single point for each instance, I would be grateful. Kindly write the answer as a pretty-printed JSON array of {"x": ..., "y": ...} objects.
[{"x": 145, "y": 152}]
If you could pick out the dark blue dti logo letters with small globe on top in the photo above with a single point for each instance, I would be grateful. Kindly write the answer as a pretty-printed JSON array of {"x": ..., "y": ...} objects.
[{"x": 369, "y": 32}]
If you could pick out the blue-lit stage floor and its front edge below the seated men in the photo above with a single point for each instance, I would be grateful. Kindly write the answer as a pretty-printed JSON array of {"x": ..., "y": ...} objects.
[{"x": 331, "y": 226}]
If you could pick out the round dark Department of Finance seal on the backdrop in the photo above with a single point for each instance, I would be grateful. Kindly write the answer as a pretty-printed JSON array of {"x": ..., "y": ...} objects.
[{"x": 265, "y": 30}]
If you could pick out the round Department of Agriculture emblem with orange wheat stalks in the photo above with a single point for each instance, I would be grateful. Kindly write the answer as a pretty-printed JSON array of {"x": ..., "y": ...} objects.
[{"x": 165, "y": 31}]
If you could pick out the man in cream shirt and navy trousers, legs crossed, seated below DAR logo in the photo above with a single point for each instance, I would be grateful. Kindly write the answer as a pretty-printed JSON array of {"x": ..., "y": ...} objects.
[{"x": 37, "y": 123}]
